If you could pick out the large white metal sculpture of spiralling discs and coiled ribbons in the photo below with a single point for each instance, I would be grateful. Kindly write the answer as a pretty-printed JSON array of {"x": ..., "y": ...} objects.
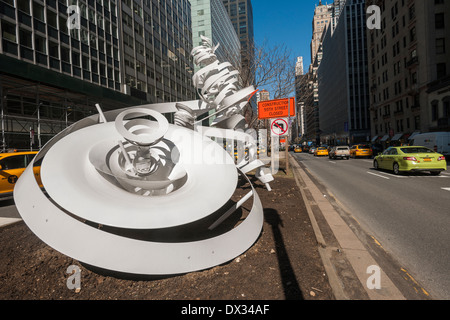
[{"x": 119, "y": 186}]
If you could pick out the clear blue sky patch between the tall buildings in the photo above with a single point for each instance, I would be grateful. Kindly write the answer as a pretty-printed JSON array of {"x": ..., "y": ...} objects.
[{"x": 286, "y": 22}]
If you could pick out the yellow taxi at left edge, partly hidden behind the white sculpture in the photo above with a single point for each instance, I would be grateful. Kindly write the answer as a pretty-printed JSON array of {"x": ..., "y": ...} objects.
[{"x": 12, "y": 165}]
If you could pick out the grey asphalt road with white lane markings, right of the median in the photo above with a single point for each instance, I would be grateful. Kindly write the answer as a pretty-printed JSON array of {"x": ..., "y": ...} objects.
[{"x": 407, "y": 214}]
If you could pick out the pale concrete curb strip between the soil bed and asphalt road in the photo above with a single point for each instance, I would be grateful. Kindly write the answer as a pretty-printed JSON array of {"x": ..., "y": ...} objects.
[{"x": 346, "y": 252}]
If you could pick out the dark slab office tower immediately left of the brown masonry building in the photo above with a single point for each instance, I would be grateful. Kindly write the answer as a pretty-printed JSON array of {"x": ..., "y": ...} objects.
[{"x": 343, "y": 79}]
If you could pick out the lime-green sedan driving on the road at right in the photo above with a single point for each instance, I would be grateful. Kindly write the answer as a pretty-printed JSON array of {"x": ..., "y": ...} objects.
[{"x": 410, "y": 159}]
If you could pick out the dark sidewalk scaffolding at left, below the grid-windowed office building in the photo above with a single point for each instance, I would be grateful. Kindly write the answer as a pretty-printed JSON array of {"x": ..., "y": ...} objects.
[{"x": 33, "y": 112}]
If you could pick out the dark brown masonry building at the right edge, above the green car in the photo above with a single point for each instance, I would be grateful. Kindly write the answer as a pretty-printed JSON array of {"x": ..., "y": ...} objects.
[{"x": 409, "y": 70}]
